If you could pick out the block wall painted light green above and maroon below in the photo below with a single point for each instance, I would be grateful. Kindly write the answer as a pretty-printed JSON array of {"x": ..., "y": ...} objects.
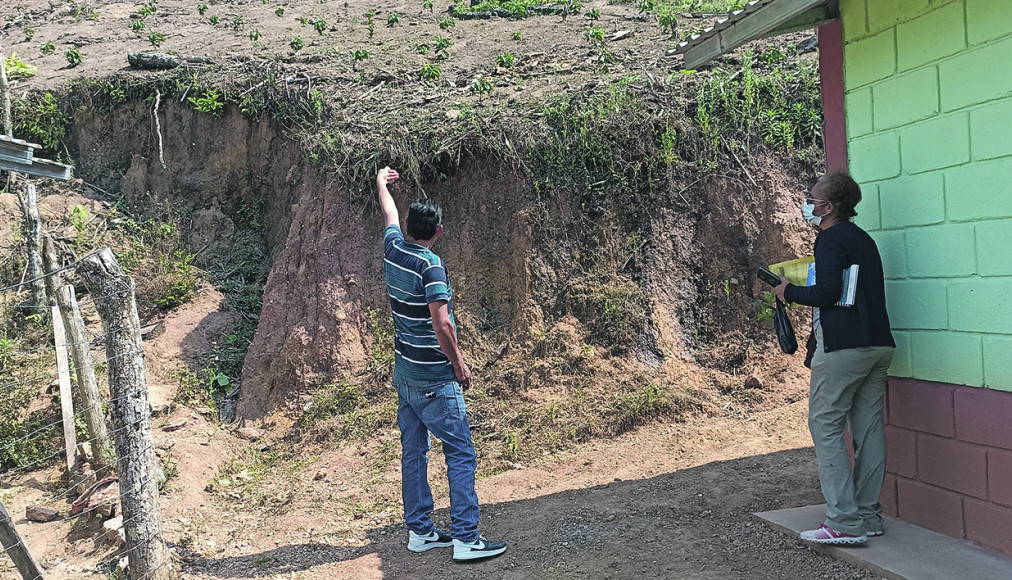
[{"x": 929, "y": 93}]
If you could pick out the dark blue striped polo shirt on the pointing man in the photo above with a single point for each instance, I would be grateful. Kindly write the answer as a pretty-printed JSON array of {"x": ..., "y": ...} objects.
[{"x": 415, "y": 278}]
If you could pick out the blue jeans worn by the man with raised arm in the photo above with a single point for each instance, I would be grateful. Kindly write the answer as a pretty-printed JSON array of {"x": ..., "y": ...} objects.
[{"x": 438, "y": 408}]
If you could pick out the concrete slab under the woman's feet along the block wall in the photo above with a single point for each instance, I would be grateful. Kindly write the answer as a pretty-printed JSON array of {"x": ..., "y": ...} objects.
[{"x": 905, "y": 552}]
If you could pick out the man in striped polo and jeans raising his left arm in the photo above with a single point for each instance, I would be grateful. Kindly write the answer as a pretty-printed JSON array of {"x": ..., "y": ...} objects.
[{"x": 431, "y": 377}]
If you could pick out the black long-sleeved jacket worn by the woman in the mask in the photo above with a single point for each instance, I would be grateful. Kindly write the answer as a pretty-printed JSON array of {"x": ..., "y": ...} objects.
[{"x": 866, "y": 323}]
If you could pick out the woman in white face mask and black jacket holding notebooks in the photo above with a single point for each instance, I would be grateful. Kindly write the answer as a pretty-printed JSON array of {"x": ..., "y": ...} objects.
[{"x": 854, "y": 352}]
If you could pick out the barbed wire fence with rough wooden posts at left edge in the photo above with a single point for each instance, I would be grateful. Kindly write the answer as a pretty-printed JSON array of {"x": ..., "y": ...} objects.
[{"x": 36, "y": 445}]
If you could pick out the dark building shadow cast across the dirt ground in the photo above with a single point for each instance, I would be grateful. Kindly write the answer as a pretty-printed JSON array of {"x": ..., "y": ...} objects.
[{"x": 693, "y": 524}]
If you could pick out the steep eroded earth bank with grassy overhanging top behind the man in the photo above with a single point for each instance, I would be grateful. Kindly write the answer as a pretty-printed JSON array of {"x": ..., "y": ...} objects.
[{"x": 601, "y": 243}]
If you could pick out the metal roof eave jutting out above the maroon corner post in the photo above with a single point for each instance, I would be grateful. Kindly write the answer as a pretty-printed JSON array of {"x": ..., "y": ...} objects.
[{"x": 760, "y": 19}]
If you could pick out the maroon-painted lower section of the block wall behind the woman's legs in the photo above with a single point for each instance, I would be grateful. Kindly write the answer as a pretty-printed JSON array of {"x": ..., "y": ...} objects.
[{"x": 951, "y": 460}]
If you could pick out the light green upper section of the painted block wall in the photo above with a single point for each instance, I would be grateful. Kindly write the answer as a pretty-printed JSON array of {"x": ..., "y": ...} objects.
[{"x": 930, "y": 122}]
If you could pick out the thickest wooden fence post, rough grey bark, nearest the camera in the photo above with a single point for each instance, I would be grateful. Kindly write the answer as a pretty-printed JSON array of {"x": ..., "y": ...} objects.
[{"x": 139, "y": 471}]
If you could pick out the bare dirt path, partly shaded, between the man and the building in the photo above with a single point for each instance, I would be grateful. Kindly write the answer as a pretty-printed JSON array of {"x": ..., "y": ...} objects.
[{"x": 666, "y": 502}]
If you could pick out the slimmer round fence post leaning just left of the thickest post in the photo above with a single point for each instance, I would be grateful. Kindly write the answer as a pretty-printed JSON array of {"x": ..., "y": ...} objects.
[{"x": 103, "y": 453}]
